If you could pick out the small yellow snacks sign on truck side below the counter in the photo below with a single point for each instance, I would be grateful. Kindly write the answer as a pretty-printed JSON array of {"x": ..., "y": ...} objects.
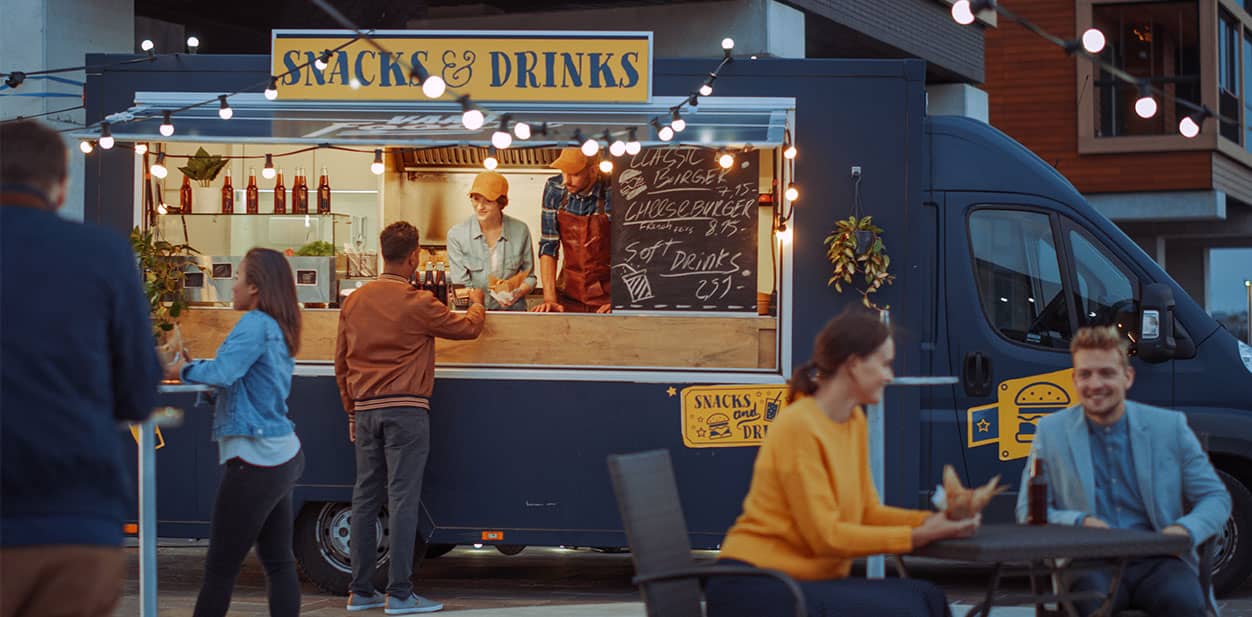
[{"x": 729, "y": 416}]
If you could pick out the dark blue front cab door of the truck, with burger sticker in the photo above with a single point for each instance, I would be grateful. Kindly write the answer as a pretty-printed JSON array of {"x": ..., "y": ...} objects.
[{"x": 1022, "y": 276}]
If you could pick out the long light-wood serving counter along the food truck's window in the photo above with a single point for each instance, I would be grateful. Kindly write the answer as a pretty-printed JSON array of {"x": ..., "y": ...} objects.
[{"x": 675, "y": 341}]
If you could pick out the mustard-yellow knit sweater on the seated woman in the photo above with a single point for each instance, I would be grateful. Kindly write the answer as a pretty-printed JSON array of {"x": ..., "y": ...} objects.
[{"x": 813, "y": 507}]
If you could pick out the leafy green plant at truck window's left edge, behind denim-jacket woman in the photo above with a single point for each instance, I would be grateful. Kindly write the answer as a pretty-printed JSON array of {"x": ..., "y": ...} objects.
[{"x": 163, "y": 268}]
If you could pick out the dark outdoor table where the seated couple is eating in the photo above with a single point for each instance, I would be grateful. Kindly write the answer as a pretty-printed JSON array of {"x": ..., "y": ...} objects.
[{"x": 1055, "y": 549}]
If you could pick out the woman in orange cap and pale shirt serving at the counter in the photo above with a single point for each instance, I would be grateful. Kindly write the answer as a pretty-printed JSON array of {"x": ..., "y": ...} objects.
[{"x": 490, "y": 251}]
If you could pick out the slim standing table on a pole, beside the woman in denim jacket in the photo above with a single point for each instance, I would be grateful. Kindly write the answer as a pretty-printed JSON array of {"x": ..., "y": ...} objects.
[{"x": 148, "y": 497}]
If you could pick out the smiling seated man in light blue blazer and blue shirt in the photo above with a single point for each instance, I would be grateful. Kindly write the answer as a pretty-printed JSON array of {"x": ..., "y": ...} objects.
[{"x": 1111, "y": 462}]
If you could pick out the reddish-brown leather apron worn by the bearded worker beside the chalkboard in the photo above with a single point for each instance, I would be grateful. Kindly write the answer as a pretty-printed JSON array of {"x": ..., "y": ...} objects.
[{"x": 584, "y": 281}]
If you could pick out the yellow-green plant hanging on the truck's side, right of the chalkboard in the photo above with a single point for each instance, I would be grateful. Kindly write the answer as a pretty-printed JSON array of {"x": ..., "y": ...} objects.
[{"x": 857, "y": 252}]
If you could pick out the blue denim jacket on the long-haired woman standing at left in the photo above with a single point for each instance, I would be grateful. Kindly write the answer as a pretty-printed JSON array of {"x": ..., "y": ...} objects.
[{"x": 254, "y": 375}]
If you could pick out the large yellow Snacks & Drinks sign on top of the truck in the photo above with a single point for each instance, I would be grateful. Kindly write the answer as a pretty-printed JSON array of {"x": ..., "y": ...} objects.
[{"x": 489, "y": 67}]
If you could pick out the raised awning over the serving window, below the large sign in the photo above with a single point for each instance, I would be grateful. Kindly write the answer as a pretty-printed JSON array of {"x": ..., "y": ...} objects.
[{"x": 717, "y": 122}]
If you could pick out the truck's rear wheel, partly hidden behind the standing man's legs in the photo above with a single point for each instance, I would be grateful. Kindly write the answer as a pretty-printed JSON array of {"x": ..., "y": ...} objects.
[{"x": 324, "y": 534}]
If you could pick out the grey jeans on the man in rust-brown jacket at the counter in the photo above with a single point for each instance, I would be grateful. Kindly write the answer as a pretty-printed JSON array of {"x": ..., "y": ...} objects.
[{"x": 393, "y": 446}]
